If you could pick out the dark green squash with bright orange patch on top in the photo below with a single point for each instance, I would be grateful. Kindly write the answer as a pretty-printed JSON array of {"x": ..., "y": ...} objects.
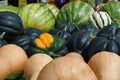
[{"x": 49, "y": 44}]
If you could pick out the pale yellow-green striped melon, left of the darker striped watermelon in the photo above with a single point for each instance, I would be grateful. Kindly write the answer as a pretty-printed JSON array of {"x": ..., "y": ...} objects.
[{"x": 37, "y": 15}]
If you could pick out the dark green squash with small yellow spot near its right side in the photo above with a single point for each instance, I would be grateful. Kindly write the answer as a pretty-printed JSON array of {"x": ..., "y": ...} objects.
[{"x": 80, "y": 40}]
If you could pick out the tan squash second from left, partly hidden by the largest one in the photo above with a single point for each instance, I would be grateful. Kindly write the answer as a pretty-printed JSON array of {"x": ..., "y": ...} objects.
[{"x": 35, "y": 64}]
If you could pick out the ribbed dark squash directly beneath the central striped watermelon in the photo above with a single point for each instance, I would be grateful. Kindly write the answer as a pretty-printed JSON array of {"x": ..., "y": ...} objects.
[{"x": 64, "y": 30}]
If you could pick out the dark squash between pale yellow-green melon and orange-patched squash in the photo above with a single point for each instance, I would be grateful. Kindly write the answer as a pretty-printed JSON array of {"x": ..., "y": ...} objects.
[{"x": 32, "y": 32}]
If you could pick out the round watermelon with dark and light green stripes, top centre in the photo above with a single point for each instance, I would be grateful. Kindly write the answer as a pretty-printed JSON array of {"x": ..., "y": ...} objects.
[{"x": 75, "y": 12}]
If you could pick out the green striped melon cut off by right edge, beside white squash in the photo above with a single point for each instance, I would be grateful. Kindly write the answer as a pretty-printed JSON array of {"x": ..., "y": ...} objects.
[{"x": 113, "y": 9}]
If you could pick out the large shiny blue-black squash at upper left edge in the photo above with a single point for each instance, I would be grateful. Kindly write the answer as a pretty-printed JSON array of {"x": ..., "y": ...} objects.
[{"x": 11, "y": 24}]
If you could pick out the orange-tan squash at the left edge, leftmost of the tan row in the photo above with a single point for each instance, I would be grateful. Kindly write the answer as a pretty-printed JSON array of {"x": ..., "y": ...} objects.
[{"x": 12, "y": 53}]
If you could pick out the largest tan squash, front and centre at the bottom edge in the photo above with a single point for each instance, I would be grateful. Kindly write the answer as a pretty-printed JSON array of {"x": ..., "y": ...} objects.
[{"x": 67, "y": 68}]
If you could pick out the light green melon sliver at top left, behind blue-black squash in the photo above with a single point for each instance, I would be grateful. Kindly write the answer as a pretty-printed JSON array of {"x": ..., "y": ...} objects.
[{"x": 10, "y": 8}]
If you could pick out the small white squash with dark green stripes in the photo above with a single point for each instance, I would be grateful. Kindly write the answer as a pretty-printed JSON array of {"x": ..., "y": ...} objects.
[{"x": 100, "y": 19}]
